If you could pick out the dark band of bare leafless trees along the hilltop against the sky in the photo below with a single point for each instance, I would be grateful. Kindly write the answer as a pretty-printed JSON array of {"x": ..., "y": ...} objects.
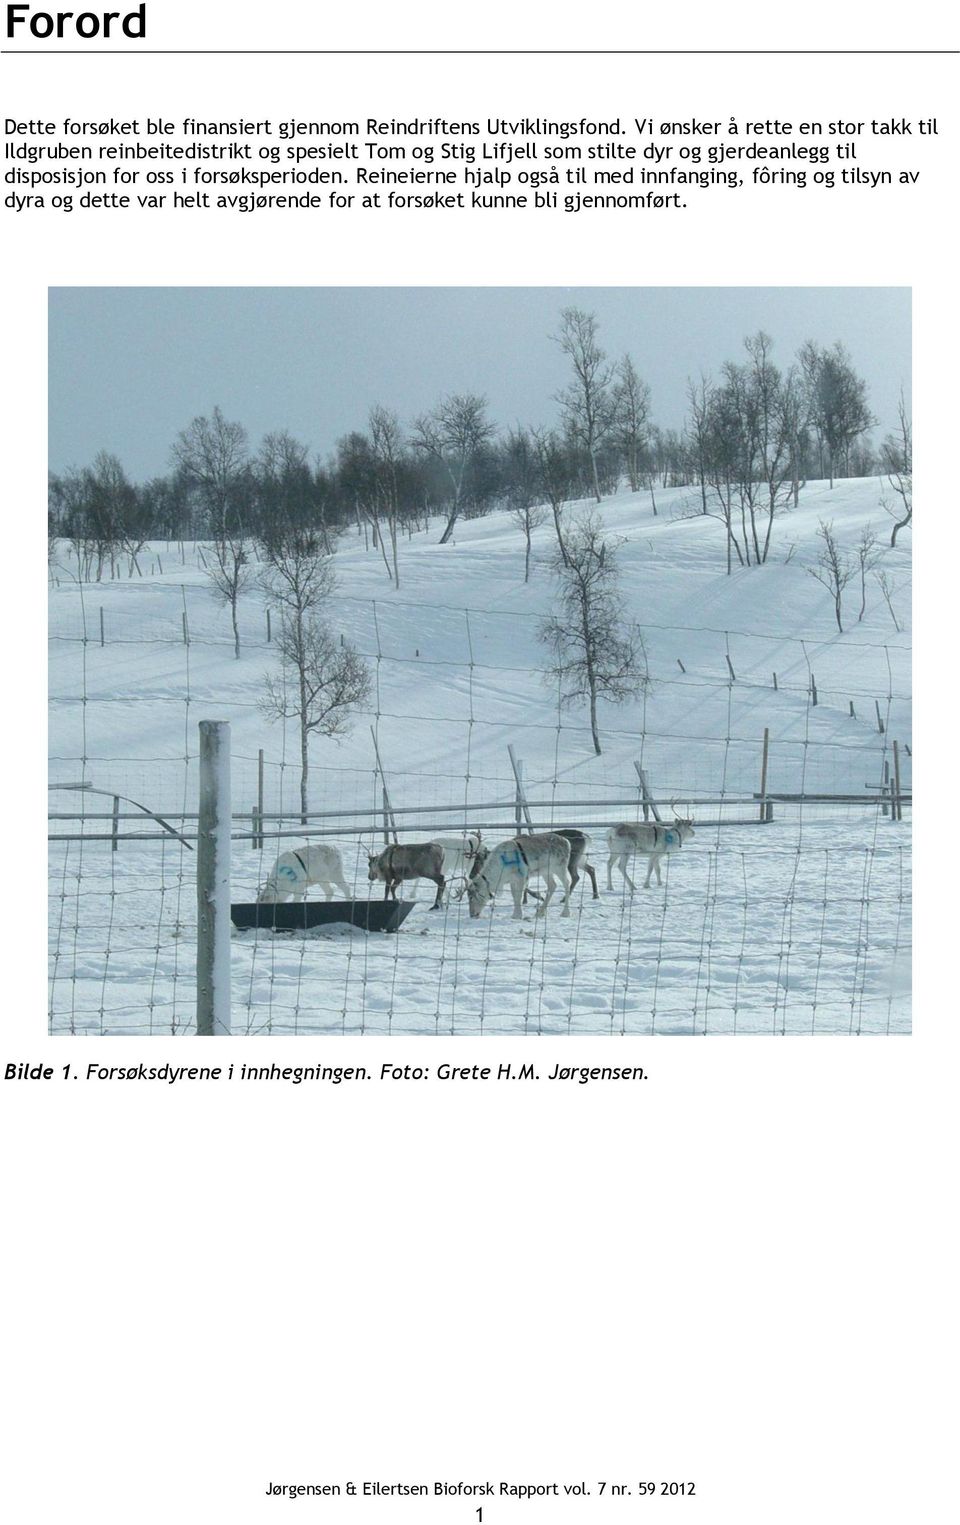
[{"x": 752, "y": 437}]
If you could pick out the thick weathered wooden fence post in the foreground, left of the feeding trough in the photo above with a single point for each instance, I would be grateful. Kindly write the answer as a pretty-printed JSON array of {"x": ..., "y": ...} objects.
[{"x": 214, "y": 881}]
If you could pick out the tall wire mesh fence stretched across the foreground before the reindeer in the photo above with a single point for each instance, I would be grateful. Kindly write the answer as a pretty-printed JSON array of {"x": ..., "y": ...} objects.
[{"x": 792, "y": 925}]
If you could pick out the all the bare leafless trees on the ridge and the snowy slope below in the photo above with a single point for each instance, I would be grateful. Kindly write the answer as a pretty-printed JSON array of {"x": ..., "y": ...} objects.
[{"x": 754, "y": 435}]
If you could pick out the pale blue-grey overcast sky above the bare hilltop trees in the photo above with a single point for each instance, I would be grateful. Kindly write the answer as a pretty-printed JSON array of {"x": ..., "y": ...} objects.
[{"x": 132, "y": 365}]
